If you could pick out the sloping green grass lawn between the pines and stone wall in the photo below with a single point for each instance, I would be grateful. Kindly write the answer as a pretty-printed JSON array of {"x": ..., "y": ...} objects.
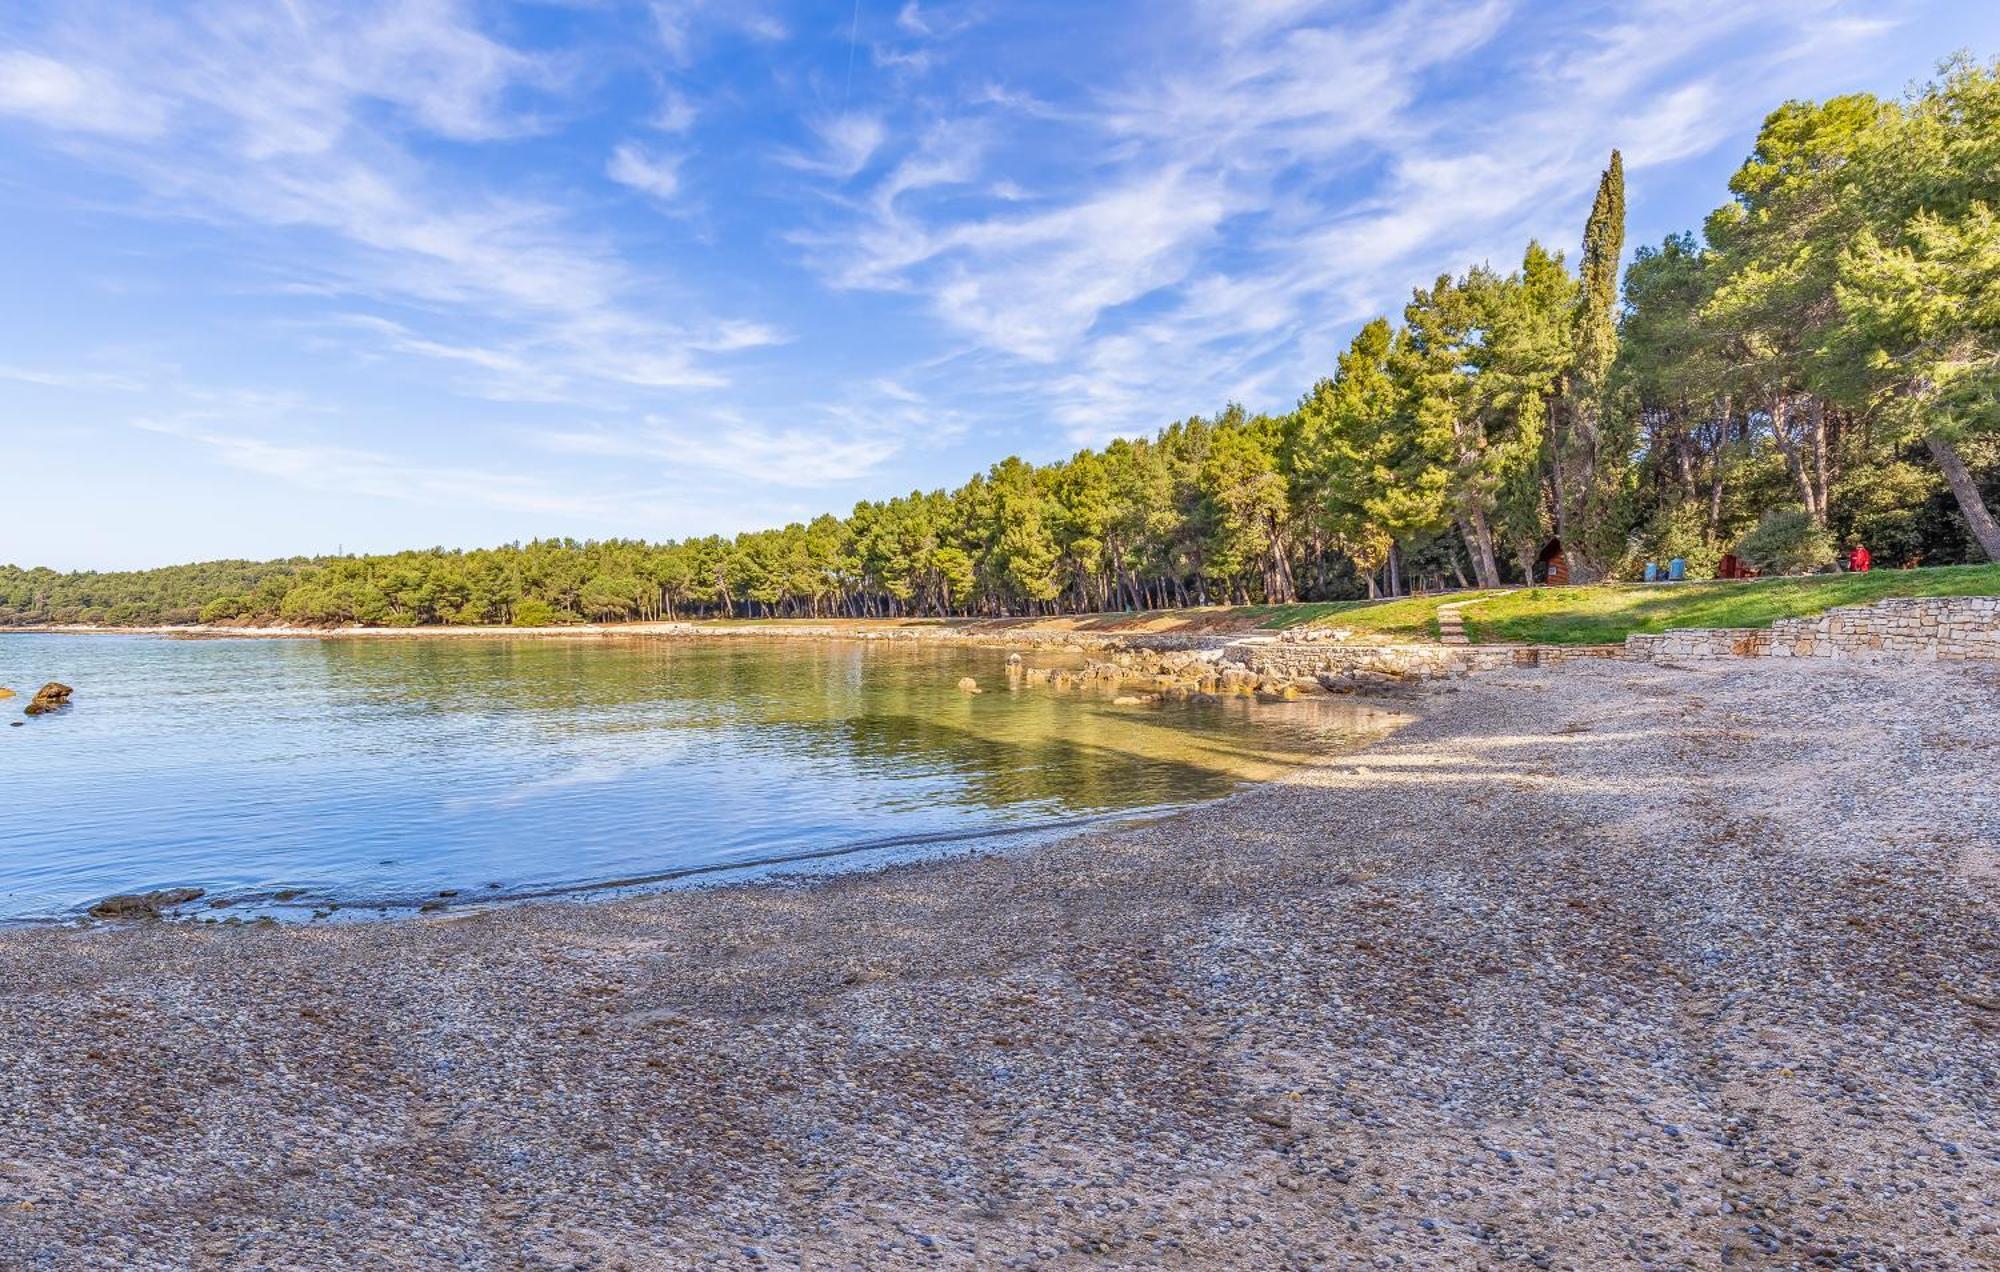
[{"x": 1613, "y": 613}]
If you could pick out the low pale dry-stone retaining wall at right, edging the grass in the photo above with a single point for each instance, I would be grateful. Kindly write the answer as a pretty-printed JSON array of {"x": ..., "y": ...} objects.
[{"x": 1945, "y": 629}]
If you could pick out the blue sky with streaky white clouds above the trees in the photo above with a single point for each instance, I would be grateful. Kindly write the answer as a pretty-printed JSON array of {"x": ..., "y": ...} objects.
[{"x": 297, "y": 277}]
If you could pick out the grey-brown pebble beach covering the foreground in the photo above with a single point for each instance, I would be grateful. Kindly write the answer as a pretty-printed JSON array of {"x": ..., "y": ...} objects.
[{"x": 1587, "y": 969}]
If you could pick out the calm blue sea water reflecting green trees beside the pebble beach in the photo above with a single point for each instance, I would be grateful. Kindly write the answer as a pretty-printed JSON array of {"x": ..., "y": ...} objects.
[{"x": 379, "y": 773}]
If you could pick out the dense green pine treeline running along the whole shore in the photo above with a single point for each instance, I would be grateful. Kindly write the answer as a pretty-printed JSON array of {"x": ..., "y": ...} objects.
[{"x": 1823, "y": 363}]
